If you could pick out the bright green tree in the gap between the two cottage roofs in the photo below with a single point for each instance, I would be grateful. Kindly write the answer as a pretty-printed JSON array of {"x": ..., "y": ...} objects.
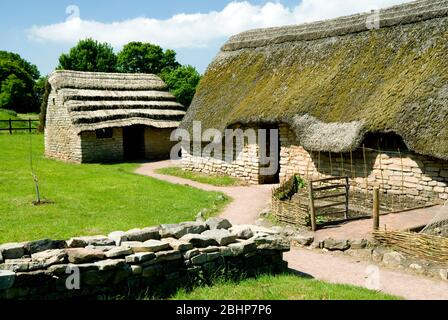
[{"x": 182, "y": 83}]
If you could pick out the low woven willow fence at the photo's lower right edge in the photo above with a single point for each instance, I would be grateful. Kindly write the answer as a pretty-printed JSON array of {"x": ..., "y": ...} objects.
[{"x": 432, "y": 248}]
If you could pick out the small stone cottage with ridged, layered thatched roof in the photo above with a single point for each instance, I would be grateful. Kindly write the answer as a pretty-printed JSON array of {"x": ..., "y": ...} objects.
[{"x": 103, "y": 117}]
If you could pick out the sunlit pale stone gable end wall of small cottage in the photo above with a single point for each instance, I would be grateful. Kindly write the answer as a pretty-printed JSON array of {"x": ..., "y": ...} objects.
[{"x": 61, "y": 140}]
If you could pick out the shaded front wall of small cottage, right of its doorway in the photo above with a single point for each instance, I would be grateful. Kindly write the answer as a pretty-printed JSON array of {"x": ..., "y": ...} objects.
[{"x": 157, "y": 143}]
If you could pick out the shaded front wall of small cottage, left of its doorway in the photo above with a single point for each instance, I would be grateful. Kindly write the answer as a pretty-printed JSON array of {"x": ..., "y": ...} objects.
[{"x": 102, "y": 150}]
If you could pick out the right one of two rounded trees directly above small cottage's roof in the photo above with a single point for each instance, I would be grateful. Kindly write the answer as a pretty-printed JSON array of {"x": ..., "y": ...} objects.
[{"x": 138, "y": 57}]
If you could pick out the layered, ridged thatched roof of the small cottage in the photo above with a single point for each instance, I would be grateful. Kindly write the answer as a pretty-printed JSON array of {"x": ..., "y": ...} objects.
[{"x": 105, "y": 100}]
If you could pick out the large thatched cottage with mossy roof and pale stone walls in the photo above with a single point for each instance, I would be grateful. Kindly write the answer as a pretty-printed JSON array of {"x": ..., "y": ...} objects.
[{"x": 364, "y": 96}]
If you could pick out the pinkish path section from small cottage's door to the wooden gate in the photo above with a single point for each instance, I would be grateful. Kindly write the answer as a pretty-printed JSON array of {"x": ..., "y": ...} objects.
[{"x": 248, "y": 201}]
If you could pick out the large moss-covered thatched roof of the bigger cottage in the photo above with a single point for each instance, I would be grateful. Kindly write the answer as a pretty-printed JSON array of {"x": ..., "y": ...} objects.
[{"x": 337, "y": 80}]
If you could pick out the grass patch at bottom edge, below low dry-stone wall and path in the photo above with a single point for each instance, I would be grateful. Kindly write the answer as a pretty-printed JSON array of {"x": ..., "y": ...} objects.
[{"x": 282, "y": 287}]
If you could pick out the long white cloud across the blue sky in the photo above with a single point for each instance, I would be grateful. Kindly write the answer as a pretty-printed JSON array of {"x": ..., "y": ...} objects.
[{"x": 201, "y": 29}]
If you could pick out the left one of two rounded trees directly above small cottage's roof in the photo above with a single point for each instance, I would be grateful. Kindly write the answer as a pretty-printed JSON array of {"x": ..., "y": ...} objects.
[{"x": 89, "y": 55}]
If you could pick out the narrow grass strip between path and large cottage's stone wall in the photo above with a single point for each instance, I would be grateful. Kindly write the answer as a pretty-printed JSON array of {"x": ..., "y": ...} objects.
[{"x": 215, "y": 180}]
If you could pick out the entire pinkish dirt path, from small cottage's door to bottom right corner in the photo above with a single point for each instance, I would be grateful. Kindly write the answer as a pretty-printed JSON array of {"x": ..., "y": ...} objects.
[{"x": 250, "y": 201}]
